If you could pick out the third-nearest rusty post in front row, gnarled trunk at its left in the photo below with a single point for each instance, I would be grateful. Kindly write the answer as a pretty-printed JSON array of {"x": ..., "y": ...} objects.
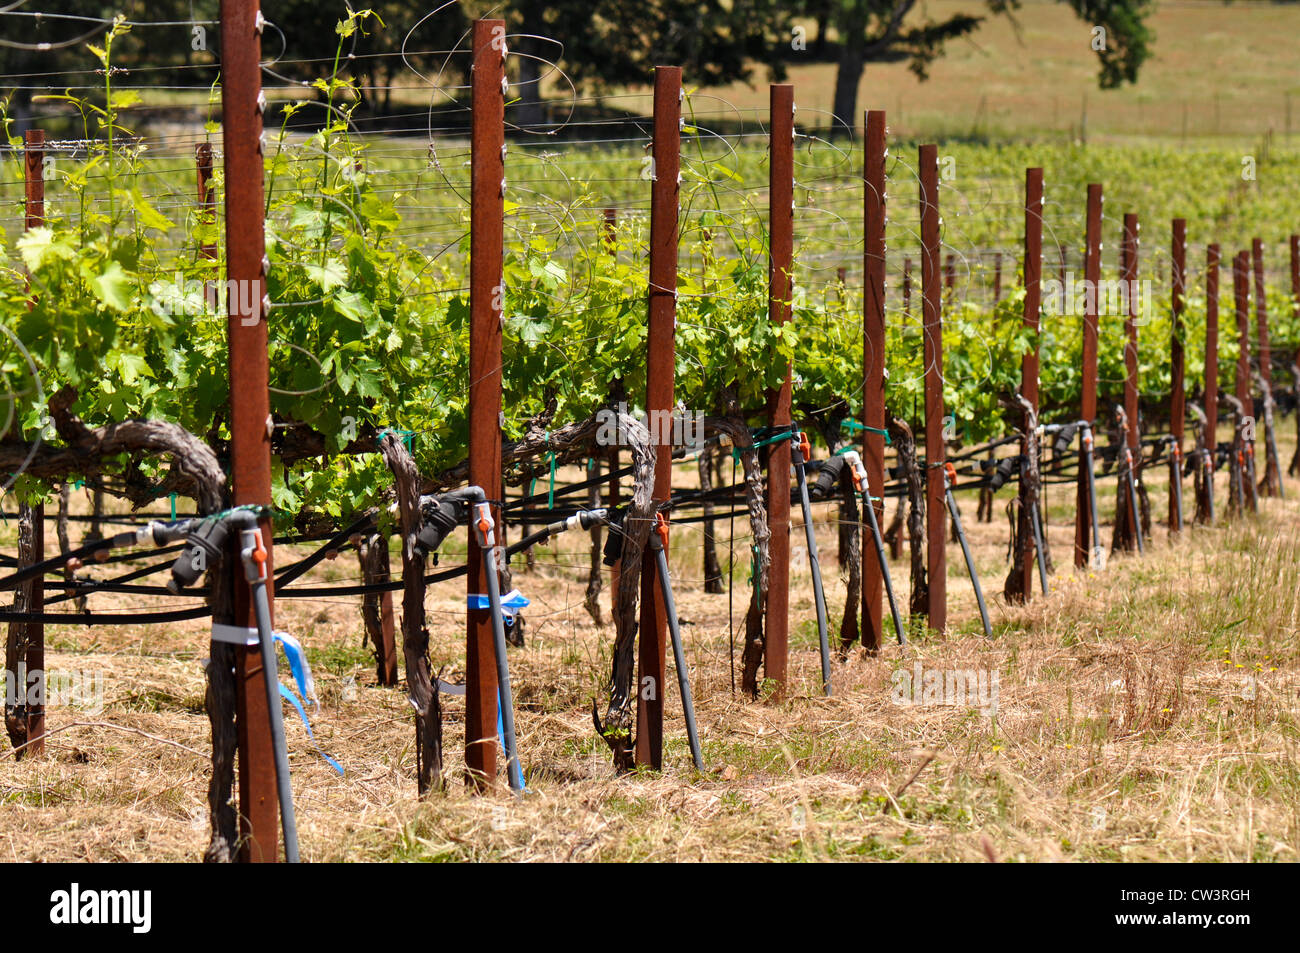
[{"x": 661, "y": 357}]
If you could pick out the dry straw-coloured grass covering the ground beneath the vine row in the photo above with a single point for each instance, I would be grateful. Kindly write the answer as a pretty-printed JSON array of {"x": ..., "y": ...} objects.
[{"x": 1147, "y": 713}]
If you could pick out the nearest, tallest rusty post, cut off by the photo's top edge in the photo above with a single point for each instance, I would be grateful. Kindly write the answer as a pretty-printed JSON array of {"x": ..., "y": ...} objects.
[{"x": 248, "y": 309}]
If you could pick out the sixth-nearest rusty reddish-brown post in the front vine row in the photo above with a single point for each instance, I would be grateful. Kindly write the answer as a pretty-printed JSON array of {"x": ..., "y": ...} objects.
[{"x": 933, "y": 330}]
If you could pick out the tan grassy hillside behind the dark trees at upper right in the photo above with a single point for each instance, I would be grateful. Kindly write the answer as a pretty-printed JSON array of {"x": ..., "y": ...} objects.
[{"x": 1217, "y": 71}]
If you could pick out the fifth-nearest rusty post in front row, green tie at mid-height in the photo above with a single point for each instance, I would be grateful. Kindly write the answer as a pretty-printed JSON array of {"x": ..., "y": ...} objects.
[{"x": 876, "y": 213}]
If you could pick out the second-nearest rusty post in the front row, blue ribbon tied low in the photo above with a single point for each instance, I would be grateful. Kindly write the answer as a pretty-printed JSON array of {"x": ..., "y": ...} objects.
[{"x": 487, "y": 245}]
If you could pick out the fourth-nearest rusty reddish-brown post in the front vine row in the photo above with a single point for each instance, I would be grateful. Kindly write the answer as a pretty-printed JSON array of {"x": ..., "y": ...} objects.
[{"x": 779, "y": 301}]
